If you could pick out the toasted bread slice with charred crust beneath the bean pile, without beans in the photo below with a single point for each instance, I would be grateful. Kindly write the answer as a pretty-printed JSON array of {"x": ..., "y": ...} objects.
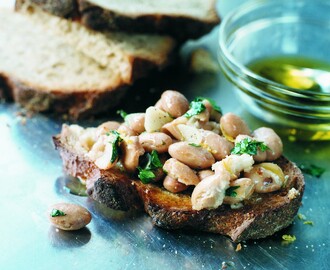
[{"x": 261, "y": 216}]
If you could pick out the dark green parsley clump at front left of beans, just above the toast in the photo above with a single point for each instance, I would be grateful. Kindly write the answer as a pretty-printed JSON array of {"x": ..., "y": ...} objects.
[{"x": 147, "y": 174}]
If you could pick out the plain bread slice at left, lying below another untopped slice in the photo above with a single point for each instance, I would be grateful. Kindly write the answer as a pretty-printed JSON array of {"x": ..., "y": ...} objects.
[{"x": 52, "y": 64}]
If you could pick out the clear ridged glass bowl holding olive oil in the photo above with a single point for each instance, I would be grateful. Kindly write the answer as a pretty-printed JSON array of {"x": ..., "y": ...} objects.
[{"x": 277, "y": 55}]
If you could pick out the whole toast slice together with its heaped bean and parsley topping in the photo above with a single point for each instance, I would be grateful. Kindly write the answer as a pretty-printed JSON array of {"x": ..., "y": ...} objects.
[{"x": 244, "y": 196}]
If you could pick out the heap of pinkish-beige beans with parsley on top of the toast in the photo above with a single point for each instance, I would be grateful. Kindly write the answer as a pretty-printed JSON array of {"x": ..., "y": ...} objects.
[{"x": 188, "y": 147}]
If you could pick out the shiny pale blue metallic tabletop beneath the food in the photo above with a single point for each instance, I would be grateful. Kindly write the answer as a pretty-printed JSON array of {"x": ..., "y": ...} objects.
[{"x": 32, "y": 180}]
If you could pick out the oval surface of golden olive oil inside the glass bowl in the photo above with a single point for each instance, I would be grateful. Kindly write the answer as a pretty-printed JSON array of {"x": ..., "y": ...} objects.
[{"x": 296, "y": 72}]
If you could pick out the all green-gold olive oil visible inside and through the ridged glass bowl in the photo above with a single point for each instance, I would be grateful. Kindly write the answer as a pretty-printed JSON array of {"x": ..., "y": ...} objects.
[{"x": 303, "y": 74}]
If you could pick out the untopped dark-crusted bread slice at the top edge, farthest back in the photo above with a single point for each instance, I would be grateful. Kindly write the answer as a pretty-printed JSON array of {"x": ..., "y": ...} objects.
[{"x": 182, "y": 19}]
